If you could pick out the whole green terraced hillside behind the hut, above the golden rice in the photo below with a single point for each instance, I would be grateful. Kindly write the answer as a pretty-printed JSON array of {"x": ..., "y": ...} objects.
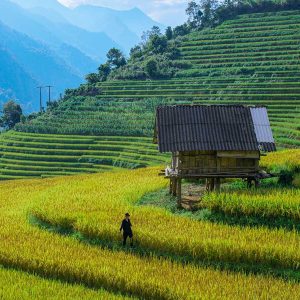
[{"x": 253, "y": 59}]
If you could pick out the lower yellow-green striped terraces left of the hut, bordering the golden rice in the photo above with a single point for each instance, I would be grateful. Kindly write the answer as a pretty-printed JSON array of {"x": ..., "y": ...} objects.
[{"x": 38, "y": 155}]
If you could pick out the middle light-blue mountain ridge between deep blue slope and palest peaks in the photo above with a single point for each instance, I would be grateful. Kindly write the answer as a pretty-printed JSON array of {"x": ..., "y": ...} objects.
[{"x": 40, "y": 24}]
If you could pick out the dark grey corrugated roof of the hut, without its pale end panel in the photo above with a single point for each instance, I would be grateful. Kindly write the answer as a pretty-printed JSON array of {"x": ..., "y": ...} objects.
[{"x": 203, "y": 127}]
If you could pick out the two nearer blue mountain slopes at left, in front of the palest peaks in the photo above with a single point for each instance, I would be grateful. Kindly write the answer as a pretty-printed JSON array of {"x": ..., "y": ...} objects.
[{"x": 44, "y": 51}]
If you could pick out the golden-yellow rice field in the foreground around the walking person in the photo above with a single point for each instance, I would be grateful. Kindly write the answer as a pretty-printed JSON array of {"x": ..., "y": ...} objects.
[{"x": 39, "y": 263}]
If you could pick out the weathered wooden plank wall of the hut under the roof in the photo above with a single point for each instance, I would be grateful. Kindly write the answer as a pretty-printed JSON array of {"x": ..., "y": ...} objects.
[{"x": 215, "y": 162}]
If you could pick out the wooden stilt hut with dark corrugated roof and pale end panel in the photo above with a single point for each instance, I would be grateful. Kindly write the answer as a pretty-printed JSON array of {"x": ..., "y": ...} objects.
[{"x": 212, "y": 142}]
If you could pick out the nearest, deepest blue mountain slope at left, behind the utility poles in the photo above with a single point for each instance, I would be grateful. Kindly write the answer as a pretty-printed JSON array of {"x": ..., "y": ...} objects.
[{"x": 36, "y": 60}]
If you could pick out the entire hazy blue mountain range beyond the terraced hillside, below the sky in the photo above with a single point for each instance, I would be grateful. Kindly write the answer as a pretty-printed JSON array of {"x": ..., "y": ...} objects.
[{"x": 46, "y": 43}]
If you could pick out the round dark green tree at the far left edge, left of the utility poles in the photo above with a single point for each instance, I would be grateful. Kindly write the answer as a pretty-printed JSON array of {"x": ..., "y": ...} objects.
[{"x": 12, "y": 113}]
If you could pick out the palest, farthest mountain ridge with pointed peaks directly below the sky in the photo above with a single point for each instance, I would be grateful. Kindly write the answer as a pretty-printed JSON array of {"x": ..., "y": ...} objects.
[{"x": 123, "y": 27}]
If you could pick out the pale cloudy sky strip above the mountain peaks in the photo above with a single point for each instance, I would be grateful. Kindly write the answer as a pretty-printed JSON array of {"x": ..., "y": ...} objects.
[{"x": 168, "y": 12}]
